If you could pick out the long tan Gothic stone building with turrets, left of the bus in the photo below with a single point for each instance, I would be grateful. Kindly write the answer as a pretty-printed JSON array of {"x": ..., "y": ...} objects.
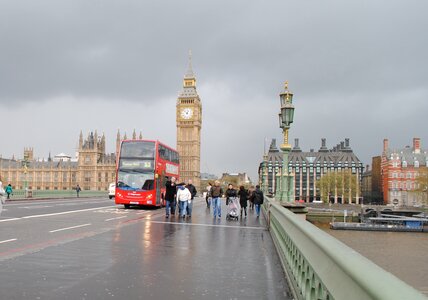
[{"x": 92, "y": 168}]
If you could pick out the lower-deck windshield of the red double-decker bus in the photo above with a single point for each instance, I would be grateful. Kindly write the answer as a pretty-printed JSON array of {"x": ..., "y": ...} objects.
[{"x": 135, "y": 180}]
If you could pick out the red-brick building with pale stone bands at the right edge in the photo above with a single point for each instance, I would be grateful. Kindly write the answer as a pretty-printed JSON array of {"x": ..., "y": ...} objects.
[{"x": 399, "y": 170}]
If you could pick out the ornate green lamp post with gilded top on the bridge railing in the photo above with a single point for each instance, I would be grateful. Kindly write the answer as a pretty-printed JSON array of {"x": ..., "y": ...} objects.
[{"x": 286, "y": 117}]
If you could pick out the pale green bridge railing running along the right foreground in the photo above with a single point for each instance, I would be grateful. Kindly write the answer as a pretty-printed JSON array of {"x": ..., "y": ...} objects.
[{"x": 318, "y": 266}]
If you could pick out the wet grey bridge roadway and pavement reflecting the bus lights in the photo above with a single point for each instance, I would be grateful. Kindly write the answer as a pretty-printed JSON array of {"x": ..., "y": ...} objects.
[{"x": 89, "y": 248}]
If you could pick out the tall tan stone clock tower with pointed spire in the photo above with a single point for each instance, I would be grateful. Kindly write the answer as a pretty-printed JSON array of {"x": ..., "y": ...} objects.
[{"x": 189, "y": 121}]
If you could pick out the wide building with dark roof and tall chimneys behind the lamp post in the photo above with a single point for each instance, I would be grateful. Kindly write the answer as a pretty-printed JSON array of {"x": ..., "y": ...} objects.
[{"x": 308, "y": 167}]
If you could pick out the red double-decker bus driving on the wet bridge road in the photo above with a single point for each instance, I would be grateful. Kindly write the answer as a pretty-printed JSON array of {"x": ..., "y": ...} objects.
[{"x": 142, "y": 169}]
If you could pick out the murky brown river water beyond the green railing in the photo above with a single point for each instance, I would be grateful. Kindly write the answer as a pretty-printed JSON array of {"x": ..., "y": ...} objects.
[{"x": 404, "y": 254}]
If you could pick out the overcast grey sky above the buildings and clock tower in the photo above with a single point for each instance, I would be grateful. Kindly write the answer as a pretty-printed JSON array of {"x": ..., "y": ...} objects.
[{"x": 357, "y": 69}]
